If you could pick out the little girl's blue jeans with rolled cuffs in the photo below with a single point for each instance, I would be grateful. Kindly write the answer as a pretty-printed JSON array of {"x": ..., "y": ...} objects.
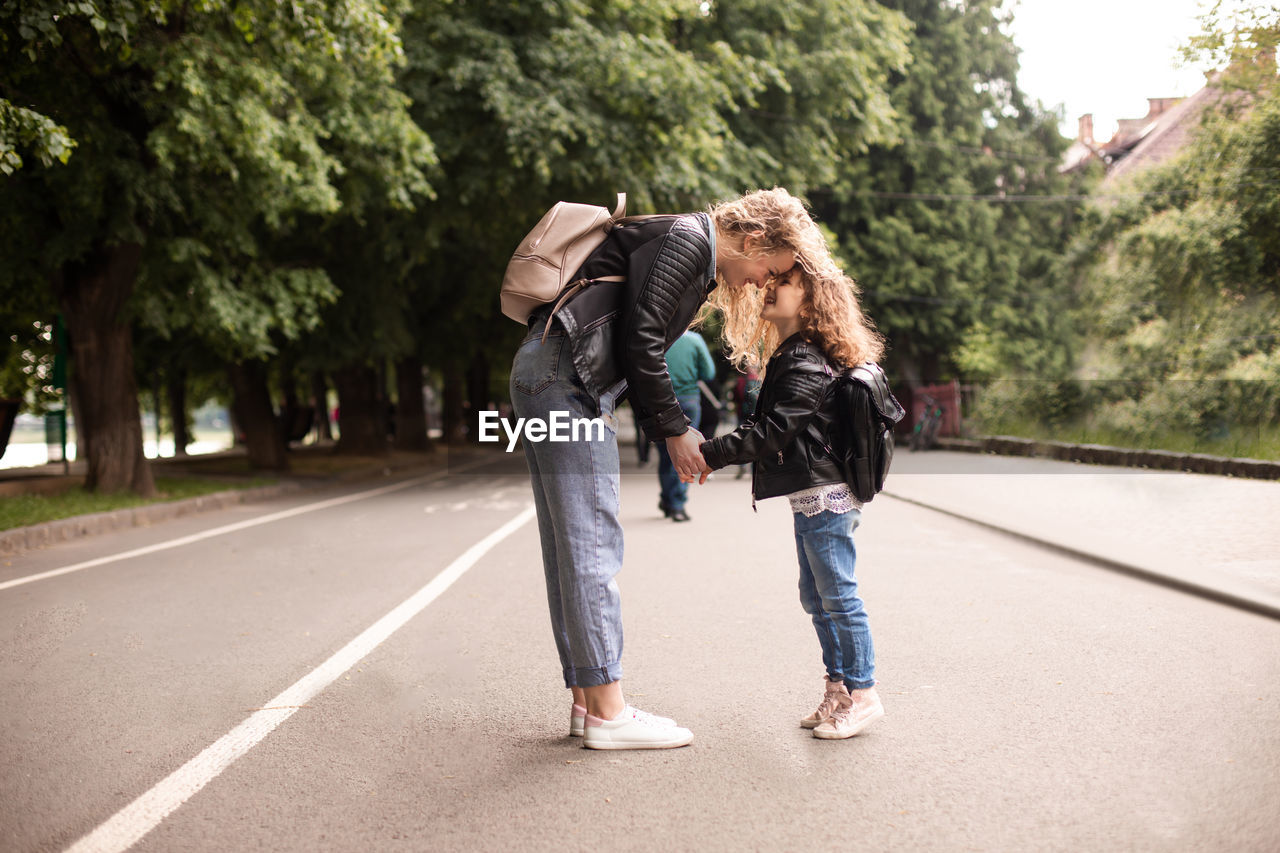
[{"x": 829, "y": 594}]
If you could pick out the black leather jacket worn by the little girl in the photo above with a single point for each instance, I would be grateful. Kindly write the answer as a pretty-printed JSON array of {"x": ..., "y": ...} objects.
[{"x": 788, "y": 437}]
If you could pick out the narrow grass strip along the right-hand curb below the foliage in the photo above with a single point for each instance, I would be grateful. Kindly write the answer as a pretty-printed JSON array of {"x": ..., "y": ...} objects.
[{"x": 1255, "y": 443}]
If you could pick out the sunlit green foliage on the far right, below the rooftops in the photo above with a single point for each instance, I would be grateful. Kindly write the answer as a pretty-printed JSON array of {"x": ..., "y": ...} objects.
[{"x": 1180, "y": 281}]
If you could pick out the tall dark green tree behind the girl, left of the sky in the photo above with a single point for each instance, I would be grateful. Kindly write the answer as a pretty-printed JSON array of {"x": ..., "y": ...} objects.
[{"x": 953, "y": 231}]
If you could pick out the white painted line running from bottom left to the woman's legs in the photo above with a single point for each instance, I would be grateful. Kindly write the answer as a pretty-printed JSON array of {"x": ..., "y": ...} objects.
[{"x": 132, "y": 823}]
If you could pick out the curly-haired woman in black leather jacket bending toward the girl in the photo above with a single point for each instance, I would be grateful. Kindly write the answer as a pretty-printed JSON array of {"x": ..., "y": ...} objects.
[{"x": 609, "y": 340}]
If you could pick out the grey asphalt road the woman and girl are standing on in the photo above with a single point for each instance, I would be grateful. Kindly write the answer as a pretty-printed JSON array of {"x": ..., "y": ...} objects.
[{"x": 1034, "y": 703}]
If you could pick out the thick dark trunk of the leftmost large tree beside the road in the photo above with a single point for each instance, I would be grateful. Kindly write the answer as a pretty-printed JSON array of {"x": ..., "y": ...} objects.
[{"x": 93, "y": 295}]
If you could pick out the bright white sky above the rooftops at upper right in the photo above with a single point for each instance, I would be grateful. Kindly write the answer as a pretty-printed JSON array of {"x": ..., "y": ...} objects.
[{"x": 1104, "y": 57}]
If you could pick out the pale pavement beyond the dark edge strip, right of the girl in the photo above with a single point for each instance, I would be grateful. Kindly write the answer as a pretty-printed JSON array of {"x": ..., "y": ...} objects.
[{"x": 1192, "y": 531}]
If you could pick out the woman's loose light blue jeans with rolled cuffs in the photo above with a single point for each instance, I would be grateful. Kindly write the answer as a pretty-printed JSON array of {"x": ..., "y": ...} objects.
[{"x": 577, "y": 498}]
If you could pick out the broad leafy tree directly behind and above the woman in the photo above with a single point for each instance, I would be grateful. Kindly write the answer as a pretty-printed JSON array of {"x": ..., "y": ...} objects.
[{"x": 678, "y": 104}]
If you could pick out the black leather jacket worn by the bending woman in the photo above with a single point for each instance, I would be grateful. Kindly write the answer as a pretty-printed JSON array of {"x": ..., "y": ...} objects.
[{"x": 623, "y": 330}]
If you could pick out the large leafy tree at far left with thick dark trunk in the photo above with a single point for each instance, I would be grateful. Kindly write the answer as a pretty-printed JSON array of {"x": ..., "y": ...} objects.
[{"x": 204, "y": 134}]
